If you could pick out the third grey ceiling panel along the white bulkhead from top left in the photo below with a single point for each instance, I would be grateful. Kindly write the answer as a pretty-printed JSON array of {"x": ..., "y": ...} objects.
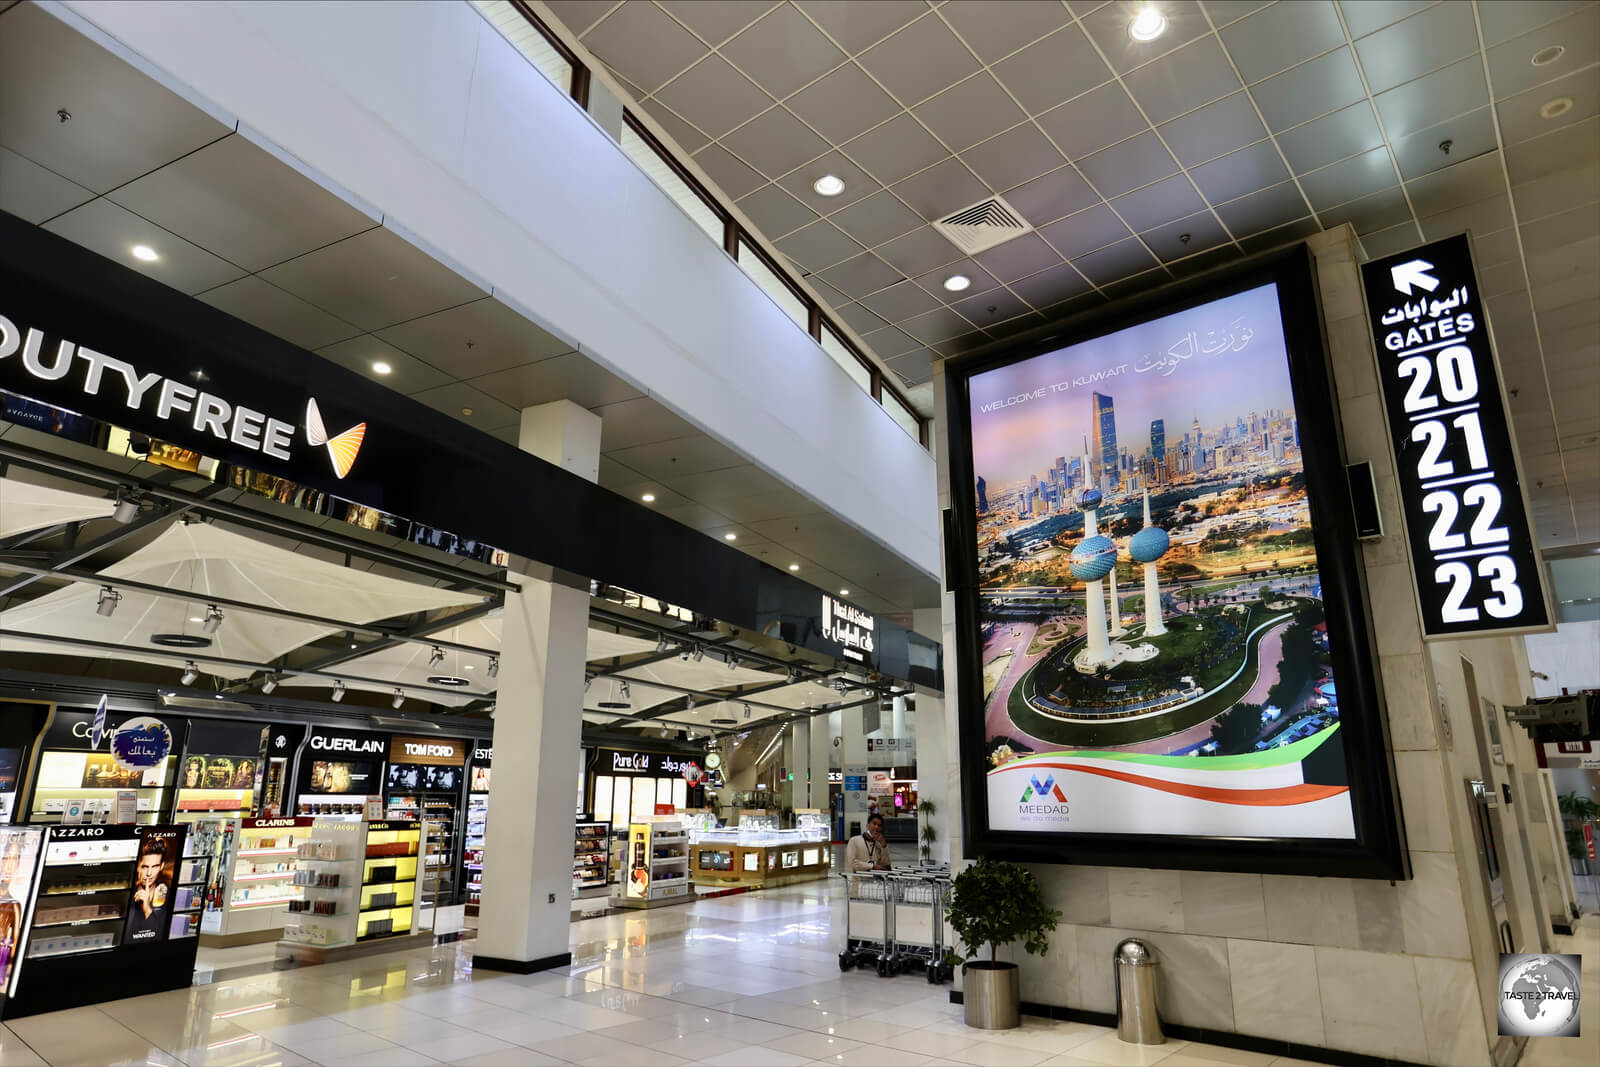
[{"x": 375, "y": 279}]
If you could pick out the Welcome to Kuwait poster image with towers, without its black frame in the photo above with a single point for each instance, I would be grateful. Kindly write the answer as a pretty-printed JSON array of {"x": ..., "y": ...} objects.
[{"x": 1167, "y": 671}]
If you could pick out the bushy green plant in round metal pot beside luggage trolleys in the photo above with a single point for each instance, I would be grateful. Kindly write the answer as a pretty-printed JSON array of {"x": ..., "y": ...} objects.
[{"x": 994, "y": 903}]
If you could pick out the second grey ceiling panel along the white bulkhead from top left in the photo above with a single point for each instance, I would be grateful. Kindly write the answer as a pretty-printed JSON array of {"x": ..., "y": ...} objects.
[{"x": 241, "y": 202}]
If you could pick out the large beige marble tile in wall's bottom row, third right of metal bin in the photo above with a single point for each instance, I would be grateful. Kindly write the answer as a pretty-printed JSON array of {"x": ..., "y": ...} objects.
[{"x": 1370, "y": 1004}]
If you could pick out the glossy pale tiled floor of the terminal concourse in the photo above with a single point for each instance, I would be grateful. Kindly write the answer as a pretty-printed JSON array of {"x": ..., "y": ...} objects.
[{"x": 743, "y": 981}]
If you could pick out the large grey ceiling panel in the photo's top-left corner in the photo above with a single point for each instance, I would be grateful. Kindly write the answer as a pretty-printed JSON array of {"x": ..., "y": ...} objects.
[{"x": 122, "y": 122}]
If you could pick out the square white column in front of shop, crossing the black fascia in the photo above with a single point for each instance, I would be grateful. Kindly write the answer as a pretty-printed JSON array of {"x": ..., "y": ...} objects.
[{"x": 538, "y": 730}]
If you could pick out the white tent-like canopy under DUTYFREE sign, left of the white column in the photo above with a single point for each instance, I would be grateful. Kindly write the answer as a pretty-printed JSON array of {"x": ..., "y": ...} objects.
[{"x": 215, "y": 562}]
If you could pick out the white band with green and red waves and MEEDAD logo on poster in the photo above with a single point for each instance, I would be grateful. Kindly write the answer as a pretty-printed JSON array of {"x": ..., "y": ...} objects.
[{"x": 1297, "y": 791}]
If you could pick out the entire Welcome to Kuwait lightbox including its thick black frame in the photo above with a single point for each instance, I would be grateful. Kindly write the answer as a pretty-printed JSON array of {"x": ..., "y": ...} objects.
[{"x": 1164, "y": 633}]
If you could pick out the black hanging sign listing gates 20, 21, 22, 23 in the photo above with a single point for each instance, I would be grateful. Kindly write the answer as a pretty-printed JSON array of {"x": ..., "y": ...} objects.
[{"x": 1473, "y": 553}]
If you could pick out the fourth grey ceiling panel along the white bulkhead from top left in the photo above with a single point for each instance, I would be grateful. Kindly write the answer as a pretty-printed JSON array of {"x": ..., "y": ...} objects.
[{"x": 476, "y": 338}]
